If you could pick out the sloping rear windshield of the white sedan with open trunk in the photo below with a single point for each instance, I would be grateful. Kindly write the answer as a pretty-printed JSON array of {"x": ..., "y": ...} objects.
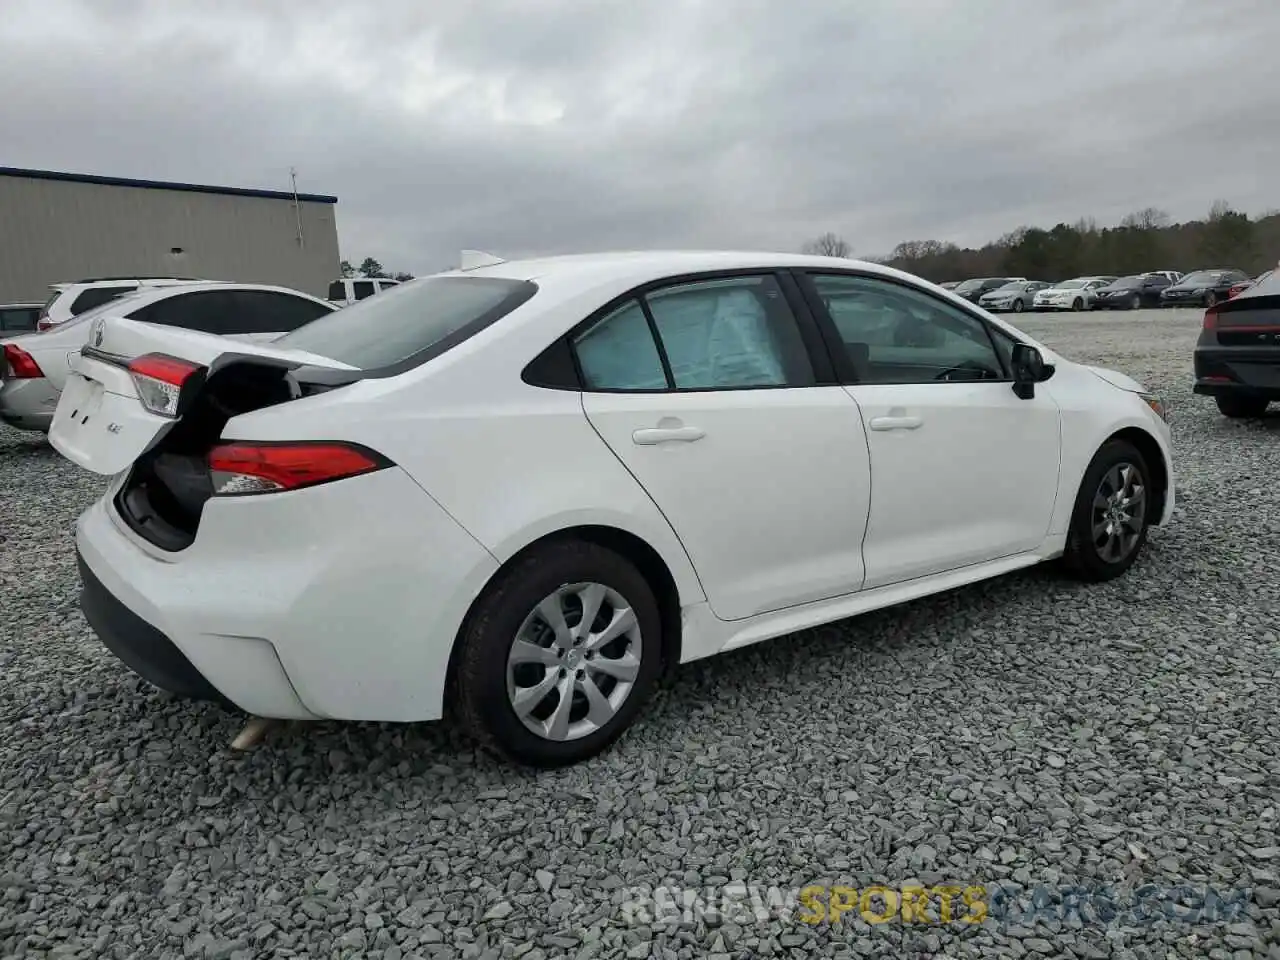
[{"x": 414, "y": 322}]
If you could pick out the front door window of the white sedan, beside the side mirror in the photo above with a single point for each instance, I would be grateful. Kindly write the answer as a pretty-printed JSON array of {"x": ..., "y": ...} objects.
[{"x": 898, "y": 335}]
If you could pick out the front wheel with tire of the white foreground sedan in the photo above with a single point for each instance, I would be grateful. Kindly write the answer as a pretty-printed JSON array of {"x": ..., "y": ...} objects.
[{"x": 1109, "y": 522}]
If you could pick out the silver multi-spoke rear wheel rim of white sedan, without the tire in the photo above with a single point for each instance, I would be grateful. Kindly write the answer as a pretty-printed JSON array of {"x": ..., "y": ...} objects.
[{"x": 574, "y": 661}]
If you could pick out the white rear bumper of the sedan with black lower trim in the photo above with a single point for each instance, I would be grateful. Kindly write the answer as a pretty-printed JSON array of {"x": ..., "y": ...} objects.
[{"x": 337, "y": 602}]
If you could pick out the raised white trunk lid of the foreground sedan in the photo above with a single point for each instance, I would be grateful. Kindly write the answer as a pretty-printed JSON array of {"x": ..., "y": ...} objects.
[{"x": 100, "y": 423}]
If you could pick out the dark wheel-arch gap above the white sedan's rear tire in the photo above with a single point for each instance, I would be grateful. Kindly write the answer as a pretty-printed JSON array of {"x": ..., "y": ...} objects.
[{"x": 651, "y": 564}]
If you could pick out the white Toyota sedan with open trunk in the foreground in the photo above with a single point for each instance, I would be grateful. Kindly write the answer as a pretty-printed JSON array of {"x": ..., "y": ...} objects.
[{"x": 522, "y": 492}]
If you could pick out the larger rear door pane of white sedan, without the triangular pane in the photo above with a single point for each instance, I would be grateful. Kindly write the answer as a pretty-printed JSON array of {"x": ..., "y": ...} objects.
[{"x": 729, "y": 333}]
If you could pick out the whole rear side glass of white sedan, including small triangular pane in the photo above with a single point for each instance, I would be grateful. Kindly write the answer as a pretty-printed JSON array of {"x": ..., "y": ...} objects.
[{"x": 729, "y": 333}]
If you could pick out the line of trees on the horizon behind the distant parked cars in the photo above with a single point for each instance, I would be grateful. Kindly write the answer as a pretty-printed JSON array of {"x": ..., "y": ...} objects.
[{"x": 1145, "y": 240}]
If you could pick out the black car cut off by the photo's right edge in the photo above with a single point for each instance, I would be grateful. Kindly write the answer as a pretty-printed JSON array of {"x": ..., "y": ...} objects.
[{"x": 1238, "y": 353}]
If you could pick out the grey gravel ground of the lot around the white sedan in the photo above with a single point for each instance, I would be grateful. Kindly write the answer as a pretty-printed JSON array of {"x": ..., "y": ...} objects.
[{"x": 1027, "y": 732}]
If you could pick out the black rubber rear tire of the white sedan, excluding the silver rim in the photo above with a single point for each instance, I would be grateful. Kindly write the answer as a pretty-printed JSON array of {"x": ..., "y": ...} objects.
[{"x": 479, "y": 692}]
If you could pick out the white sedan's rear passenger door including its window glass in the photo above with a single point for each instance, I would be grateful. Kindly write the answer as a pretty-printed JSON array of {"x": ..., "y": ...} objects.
[{"x": 719, "y": 403}]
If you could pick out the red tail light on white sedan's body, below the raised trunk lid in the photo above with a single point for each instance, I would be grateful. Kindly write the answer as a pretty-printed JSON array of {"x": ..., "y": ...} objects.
[{"x": 269, "y": 468}]
